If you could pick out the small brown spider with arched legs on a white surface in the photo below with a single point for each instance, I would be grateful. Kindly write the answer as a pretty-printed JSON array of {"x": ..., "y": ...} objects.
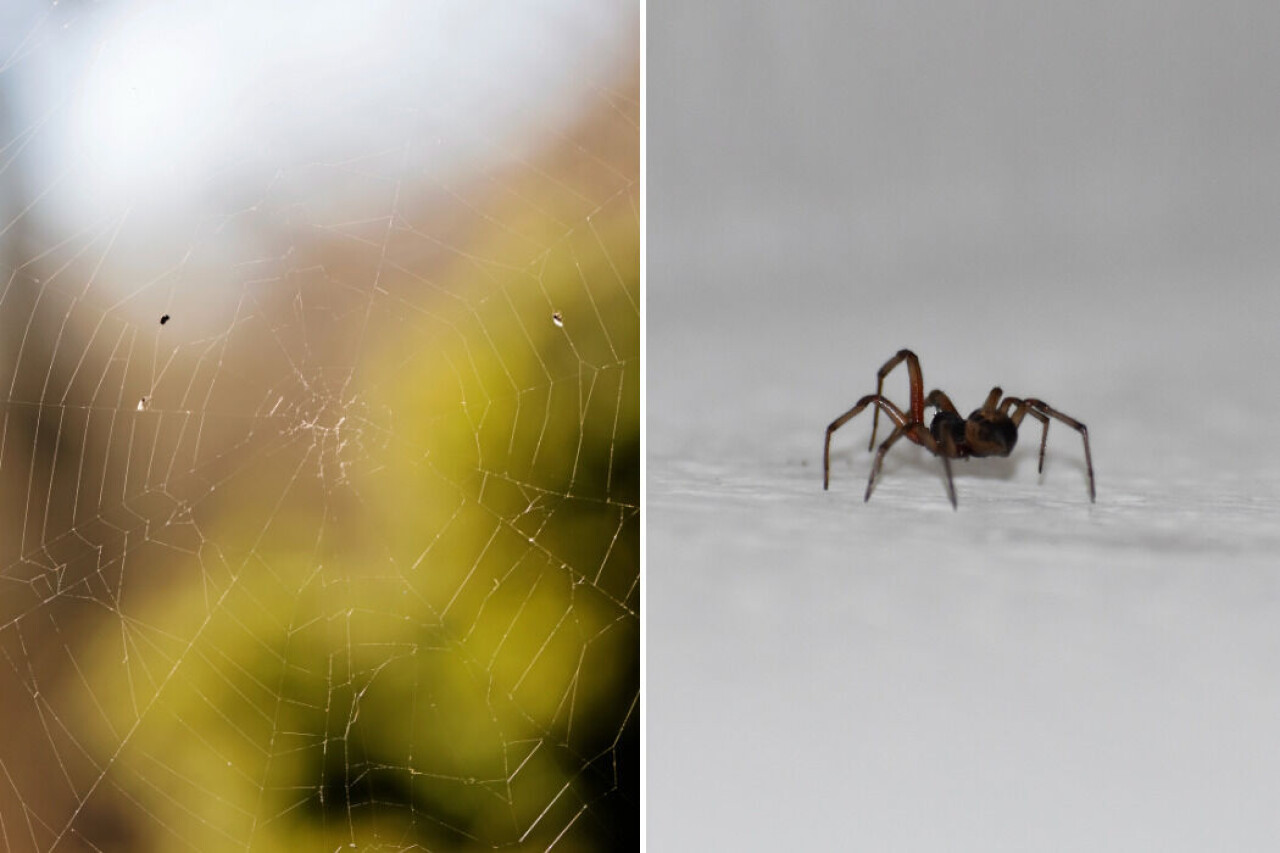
[{"x": 991, "y": 431}]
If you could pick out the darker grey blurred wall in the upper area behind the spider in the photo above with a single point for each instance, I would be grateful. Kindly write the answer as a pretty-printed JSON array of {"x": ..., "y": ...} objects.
[{"x": 976, "y": 130}]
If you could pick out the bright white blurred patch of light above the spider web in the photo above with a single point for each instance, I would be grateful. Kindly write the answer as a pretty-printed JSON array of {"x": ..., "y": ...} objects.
[{"x": 194, "y": 108}]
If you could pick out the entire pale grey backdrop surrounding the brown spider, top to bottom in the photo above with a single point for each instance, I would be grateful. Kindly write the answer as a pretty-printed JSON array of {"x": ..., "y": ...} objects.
[{"x": 1080, "y": 202}]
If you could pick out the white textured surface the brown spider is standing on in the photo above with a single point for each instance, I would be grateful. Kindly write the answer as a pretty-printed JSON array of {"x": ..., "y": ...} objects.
[{"x": 1027, "y": 673}]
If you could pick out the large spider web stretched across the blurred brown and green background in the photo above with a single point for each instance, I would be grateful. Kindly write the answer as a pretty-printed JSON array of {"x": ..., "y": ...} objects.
[{"x": 345, "y": 551}]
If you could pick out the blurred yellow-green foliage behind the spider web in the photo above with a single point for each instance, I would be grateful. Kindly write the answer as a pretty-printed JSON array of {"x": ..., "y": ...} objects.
[{"x": 418, "y": 622}]
